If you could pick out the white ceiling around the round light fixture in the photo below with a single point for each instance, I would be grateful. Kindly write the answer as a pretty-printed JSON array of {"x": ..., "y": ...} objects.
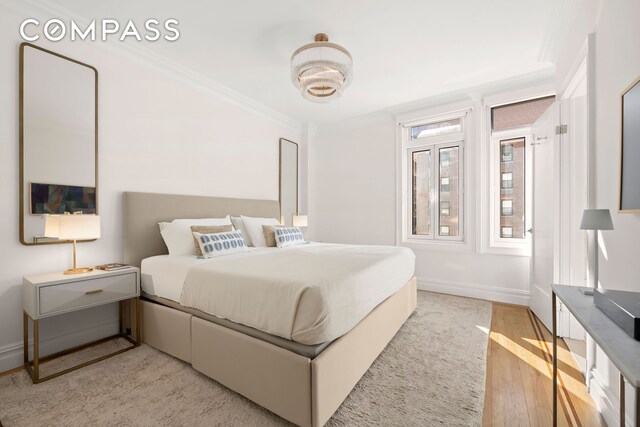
[{"x": 403, "y": 50}]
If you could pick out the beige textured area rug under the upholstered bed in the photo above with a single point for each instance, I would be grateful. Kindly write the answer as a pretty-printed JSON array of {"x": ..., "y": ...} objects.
[{"x": 432, "y": 373}]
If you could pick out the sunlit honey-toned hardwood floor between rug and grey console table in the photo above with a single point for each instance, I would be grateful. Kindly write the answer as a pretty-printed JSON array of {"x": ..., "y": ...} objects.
[{"x": 518, "y": 391}]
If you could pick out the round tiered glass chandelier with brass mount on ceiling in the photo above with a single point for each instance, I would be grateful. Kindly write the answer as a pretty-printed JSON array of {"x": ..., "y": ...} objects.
[{"x": 321, "y": 70}]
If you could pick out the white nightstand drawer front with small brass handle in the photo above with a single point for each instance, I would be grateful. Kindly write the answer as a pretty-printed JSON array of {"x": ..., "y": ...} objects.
[{"x": 87, "y": 293}]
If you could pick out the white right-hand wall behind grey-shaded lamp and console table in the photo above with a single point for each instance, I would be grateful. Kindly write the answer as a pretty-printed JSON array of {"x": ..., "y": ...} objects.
[{"x": 617, "y": 64}]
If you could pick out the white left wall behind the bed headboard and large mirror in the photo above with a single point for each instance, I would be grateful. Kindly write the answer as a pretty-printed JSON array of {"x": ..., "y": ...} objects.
[{"x": 158, "y": 132}]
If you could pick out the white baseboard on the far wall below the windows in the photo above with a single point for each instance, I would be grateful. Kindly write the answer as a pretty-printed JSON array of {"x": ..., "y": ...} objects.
[{"x": 471, "y": 290}]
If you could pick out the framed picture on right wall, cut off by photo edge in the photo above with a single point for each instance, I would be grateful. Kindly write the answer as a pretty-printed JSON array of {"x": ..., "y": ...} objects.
[{"x": 630, "y": 150}]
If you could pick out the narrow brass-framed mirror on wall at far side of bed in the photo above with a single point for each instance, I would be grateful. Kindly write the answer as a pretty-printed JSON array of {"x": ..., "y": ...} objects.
[{"x": 288, "y": 180}]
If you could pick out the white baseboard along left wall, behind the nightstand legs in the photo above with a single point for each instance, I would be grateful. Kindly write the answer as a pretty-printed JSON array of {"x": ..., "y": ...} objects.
[{"x": 11, "y": 355}]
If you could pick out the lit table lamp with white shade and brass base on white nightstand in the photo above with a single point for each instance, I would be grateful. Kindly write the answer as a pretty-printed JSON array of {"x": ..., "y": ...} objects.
[{"x": 73, "y": 227}]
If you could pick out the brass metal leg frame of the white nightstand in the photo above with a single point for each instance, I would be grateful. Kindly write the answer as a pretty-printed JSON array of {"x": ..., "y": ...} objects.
[{"x": 33, "y": 367}]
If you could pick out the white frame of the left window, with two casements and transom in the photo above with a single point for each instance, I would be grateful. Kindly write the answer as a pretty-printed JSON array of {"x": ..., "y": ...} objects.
[{"x": 433, "y": 143}]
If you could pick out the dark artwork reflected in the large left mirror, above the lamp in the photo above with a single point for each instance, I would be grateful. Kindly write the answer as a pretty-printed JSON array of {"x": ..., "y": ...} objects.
[{"x": 58, "y": 199}]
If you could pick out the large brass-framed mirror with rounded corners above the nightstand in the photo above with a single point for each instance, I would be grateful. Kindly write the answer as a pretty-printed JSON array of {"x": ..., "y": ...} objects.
[{"x": 58, "y": 139}]
